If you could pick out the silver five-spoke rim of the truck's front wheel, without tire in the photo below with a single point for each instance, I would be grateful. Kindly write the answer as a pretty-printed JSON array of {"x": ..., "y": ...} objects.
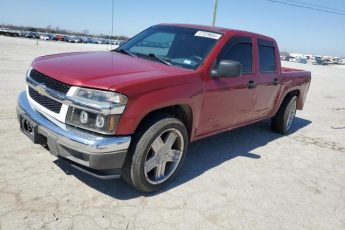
[{"x": 164, "y": 156}]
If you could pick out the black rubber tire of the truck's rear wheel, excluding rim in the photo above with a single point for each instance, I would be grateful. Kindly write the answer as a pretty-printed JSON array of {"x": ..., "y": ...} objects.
[{"x": 279, "y": 122}]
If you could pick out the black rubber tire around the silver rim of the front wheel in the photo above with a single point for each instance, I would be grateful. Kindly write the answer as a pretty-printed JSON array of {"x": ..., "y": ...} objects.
[{"x": 133, "y": 171}]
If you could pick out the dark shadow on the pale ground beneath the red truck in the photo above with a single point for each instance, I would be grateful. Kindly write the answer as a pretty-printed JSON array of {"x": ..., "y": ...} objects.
[{"x": 202, "y": 156}]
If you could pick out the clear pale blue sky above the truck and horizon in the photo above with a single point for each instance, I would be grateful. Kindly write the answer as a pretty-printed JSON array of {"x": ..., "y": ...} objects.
[{"x": 295, "y": 29}]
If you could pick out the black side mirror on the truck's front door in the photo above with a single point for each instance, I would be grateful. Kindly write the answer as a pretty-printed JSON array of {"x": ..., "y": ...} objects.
[{"x": 227, "y": 68}]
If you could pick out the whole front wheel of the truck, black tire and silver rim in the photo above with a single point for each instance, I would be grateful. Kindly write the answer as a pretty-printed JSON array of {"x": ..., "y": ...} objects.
[{"x": 156, "y": 154}]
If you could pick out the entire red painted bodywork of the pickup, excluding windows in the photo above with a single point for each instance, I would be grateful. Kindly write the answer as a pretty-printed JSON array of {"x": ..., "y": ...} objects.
[{"x": 217, "y": 104}]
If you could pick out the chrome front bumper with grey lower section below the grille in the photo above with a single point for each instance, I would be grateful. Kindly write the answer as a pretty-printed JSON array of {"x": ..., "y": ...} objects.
[{"x": 90, "y": 151}]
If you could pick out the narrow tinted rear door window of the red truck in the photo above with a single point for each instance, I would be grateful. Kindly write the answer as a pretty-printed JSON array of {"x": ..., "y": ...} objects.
[{"x": 266, "y": 56}]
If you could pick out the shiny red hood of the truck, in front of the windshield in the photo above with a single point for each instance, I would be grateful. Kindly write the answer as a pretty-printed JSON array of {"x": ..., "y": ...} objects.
[{"x": 102, "y": 70}]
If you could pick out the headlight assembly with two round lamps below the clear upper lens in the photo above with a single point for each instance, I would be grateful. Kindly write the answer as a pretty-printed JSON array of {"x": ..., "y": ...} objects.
[{"x": 101, "y": 111}]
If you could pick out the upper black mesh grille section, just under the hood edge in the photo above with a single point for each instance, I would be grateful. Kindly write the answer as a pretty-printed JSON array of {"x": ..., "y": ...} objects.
[{"x": 49, "y": 82}]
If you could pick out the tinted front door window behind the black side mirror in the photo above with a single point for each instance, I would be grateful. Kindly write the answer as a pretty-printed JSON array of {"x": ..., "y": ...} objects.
[{"x": 241, "y": 52}]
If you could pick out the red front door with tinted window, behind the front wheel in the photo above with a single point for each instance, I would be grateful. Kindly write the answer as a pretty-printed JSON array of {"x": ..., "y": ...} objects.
[{"x": 229, "y": 101}]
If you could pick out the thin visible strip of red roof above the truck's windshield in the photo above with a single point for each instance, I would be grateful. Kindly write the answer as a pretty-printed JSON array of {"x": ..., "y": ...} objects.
[{"x": 219, "y": 29}]
